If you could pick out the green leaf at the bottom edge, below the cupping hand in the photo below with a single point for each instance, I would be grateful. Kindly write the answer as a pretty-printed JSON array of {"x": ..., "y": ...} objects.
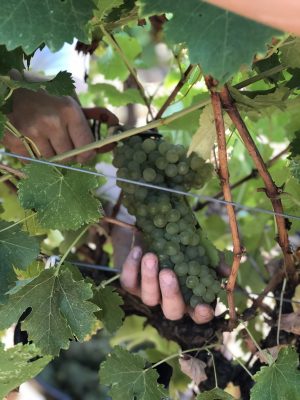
[{"x": 125, "y": 373}]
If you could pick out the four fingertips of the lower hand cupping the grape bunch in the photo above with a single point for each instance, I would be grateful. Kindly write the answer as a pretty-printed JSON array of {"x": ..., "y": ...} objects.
[{"x": 159, "y": 287}]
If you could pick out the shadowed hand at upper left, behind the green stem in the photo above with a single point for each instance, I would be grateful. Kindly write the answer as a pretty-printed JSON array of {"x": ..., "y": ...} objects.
[{"x": 54, "y": 124}]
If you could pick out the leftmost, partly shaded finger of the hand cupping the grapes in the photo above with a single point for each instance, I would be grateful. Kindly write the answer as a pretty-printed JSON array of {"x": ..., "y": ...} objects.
[{"x": 130, "y": 271}]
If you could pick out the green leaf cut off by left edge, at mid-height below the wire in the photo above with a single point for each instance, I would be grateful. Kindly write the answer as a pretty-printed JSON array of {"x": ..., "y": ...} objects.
[{"x": 17, "y": 249}]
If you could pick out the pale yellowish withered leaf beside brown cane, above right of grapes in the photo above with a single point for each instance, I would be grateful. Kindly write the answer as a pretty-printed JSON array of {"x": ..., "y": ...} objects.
[{"x": 205, "y": 136}]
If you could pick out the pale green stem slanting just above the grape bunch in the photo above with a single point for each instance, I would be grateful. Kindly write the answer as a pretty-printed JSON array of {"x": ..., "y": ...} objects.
[{"x": 131, "y": 132}]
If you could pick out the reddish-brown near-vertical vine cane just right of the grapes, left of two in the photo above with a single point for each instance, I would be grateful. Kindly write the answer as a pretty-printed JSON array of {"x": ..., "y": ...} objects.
[{"x": 224, "y": 178}]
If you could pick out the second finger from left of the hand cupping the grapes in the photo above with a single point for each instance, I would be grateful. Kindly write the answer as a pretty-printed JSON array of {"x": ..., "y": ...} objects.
[{"x": 150, "y": 291}]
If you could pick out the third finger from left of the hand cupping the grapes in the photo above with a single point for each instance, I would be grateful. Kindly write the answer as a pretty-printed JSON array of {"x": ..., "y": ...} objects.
[{"x": 172, "y": 301}]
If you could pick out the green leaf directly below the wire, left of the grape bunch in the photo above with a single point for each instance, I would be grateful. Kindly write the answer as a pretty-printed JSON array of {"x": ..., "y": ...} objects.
[{"x": 62, "y": 199}]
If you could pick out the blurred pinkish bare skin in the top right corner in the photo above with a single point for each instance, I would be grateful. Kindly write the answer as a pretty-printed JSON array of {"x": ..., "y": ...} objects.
[{"x": 283, "y": 15}]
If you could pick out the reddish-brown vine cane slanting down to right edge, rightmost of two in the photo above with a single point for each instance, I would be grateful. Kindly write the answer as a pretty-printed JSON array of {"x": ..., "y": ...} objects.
[{"x": 271, "y": 190}]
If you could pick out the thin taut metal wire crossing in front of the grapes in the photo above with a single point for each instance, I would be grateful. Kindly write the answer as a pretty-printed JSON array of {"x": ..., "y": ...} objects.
[{"x": 150, "y": 186}]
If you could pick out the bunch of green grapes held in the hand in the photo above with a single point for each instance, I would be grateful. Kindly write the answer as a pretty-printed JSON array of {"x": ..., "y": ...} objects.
[{"x": 166, "y": 219}]
